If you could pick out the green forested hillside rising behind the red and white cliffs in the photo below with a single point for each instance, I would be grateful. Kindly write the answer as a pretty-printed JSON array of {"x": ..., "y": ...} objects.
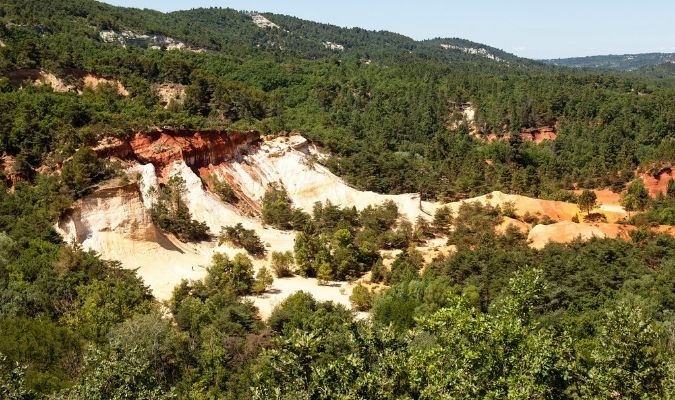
[{"x": 383, "y": 106}]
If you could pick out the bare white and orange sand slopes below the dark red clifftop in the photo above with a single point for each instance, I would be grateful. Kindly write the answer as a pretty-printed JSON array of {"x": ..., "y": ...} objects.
[{"x": 115, "y": 222}]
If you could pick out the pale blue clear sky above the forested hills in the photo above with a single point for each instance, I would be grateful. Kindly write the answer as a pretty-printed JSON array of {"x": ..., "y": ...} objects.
[{"x": 536, "y": 29}]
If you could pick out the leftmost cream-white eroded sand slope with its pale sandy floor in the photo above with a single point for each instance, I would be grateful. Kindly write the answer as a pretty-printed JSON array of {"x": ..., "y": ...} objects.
[{"x": 117, "y": 225}]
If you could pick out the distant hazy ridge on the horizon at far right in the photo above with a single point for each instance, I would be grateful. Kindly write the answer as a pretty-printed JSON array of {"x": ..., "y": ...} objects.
[{"x": 626, "y": 62}]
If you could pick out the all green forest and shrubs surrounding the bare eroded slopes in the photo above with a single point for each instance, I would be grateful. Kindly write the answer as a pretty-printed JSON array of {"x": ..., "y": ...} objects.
[{"x": 497, "y": 319}]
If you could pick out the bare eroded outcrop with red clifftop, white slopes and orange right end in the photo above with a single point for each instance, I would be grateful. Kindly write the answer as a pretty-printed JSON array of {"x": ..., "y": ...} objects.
[{"x": 115, "y": 220}]
